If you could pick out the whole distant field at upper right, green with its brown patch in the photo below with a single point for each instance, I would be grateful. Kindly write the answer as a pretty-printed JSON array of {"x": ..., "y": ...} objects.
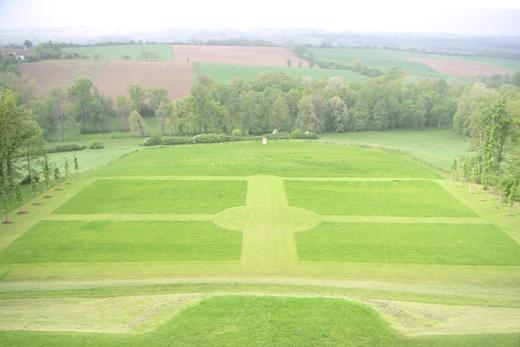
[{"x": 420, "y": 64}]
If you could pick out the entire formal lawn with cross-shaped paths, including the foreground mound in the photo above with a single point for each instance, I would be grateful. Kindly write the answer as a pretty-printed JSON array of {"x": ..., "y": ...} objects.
[{"x": 238, "y": 244}]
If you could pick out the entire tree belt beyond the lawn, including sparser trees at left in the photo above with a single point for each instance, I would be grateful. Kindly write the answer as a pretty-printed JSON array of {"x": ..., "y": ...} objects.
[{"x": 272, "y": 101}]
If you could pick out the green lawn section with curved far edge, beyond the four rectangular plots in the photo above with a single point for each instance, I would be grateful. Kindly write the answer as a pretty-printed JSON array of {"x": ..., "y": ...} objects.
[{"x": 280, "y": 158}]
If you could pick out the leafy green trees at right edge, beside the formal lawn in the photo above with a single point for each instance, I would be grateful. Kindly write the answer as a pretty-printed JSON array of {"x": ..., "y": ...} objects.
[{"x": 491, "y": 118}]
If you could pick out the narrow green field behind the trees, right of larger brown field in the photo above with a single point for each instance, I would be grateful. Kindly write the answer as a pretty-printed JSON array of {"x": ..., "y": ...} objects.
[{"x": 223, "y": 73}]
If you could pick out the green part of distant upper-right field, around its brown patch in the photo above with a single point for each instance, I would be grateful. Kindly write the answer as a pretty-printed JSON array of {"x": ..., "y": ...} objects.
[{"x": 385, "y": 59}]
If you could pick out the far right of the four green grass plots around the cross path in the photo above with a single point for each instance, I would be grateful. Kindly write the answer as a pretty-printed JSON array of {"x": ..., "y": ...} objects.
[{"x": 388, "y": 198}]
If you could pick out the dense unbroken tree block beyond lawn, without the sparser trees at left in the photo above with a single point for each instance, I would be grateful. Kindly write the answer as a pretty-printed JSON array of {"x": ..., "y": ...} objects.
[{"x": 276, "y": 101}]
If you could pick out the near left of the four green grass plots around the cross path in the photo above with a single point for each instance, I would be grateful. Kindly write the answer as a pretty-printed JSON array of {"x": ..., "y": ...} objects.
[{"x": 62, "y": 242}]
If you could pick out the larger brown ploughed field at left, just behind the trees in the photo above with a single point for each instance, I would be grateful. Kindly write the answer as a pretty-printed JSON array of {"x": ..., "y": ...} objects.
[{"x": 112, "y": 77}]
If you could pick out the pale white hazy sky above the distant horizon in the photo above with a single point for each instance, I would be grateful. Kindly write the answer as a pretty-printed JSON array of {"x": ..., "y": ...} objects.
[{"x": 447, "y": 16}]
